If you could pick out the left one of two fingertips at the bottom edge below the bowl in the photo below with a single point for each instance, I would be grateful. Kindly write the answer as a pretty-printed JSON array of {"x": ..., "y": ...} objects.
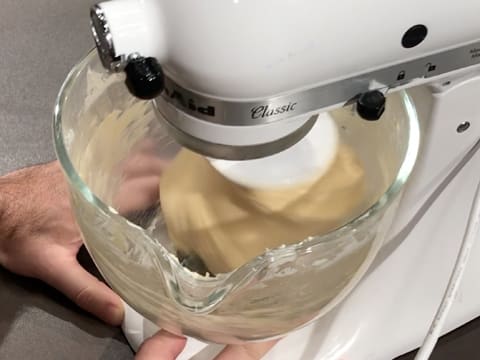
[{"x": 161, "y": 346}]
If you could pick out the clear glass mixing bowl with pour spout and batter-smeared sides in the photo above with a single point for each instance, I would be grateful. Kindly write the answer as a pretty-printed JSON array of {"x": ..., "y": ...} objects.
[{"x": 113, "y": 149}]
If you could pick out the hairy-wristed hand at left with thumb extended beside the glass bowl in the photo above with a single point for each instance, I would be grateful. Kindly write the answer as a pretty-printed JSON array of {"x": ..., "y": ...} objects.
[{"x": 39, "y": 239}]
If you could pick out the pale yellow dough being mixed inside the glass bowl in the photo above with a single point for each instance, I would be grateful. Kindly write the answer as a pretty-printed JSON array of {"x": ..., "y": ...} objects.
[{"x": 227, "y": 225}]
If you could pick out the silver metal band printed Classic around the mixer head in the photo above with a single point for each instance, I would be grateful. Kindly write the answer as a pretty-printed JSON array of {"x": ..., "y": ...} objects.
[{"x": 238, "y": 113}]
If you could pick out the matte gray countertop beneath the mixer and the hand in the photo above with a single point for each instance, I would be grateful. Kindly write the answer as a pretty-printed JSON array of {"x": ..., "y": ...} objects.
[{"x": 40, "y": 40}]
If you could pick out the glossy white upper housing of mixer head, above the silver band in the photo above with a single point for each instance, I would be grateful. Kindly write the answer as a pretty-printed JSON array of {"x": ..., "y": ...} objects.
[{"x": 247, "y": 49}]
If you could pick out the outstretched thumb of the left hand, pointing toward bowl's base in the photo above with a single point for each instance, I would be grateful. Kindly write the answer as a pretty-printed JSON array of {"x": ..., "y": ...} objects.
[{"x": 92, "y": 295}]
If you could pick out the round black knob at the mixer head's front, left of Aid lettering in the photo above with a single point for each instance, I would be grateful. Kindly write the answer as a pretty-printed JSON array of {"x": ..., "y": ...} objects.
[{"x": 145, "y": 78}]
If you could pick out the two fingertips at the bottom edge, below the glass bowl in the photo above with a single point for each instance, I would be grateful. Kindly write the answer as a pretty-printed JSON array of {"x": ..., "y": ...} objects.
[{"x": 165, "y": 346}]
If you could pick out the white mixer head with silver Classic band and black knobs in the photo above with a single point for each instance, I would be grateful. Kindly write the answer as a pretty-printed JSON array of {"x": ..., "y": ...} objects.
[{"x": 236, "y": 86}]
